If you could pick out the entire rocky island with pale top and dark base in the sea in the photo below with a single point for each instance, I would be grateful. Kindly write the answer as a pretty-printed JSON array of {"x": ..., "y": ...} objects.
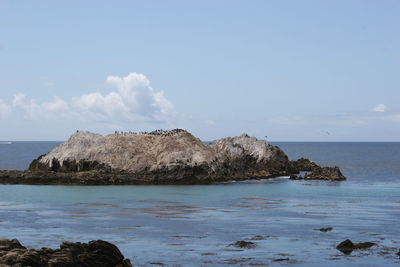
[{"x": 162, "y": 157}]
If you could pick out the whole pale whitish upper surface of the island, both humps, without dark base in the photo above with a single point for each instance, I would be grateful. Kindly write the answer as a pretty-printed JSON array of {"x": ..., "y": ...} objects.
[{"x": 145, "y": 151}]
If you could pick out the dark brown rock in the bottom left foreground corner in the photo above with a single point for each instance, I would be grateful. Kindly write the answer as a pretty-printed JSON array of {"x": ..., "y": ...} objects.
[{"x": 94, "y": 253}]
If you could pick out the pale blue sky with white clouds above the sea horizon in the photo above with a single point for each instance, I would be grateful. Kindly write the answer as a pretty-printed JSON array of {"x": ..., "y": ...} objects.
[{"x": 288, "y": 70}]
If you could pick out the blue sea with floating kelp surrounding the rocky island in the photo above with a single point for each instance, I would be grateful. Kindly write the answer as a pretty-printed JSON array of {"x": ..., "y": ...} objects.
[{"x": 197, "y": 225}]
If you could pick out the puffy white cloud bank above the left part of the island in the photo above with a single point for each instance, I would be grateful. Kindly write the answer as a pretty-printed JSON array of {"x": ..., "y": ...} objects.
[{"x": 131, "y": 98}]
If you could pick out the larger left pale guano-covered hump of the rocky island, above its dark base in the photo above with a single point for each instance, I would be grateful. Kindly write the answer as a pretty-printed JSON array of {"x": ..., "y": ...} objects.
[{"x": 132, "y": 152}]
